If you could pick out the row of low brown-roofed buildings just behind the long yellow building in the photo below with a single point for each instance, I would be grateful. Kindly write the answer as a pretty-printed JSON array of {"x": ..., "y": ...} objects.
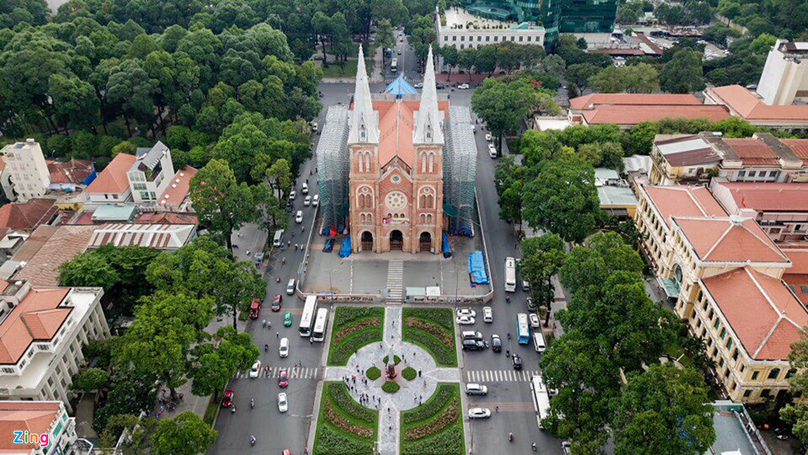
[{"x": 689, "y": 158}]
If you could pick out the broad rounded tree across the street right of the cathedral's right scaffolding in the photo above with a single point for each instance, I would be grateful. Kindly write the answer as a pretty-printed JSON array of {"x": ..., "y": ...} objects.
[{"x": 563, "y": 199}]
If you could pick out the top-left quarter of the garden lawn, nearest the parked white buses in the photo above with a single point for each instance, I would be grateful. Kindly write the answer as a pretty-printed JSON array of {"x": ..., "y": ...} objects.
[{"x": 353, "y": 328}]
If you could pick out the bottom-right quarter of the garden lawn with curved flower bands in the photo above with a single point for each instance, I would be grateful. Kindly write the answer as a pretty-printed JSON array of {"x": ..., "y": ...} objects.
[{"x": 436, "y": 427}]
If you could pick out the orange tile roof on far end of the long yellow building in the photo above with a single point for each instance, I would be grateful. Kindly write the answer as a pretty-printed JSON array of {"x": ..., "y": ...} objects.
[{"x": 691, "y": 201}]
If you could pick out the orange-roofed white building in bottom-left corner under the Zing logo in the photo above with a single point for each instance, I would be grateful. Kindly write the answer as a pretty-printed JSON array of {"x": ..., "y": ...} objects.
[{"x": 38, "y": 418}]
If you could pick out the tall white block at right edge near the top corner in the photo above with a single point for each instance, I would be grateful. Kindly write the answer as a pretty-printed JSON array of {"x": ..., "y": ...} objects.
[{"x": 785, "y": 76}]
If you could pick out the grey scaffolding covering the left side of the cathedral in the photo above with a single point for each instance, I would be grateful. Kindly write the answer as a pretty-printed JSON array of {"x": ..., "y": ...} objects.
[{"x": 333, "y": 171}]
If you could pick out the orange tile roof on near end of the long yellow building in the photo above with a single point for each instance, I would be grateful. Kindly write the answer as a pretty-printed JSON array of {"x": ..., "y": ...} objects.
[{"x": 763, "y": 314}]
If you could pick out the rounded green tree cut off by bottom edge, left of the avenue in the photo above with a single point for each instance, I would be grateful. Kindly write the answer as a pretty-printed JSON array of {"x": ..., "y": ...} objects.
[{"x": 185, "y": 434}]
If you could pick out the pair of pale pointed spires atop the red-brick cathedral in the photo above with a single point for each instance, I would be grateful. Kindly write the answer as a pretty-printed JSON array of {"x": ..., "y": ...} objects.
[{"x": 365, "y": 121}]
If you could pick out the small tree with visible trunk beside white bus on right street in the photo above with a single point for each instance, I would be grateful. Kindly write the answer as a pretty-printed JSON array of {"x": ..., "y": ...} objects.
[{"x": 541, "y": 259}]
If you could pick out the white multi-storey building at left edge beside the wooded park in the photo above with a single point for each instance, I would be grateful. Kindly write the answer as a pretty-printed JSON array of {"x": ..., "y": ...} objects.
[{"x": 26, "y": 175}]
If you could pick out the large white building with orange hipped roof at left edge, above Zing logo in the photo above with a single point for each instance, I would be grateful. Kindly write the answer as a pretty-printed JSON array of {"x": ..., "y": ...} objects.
[{"x": 41, "y": 334}]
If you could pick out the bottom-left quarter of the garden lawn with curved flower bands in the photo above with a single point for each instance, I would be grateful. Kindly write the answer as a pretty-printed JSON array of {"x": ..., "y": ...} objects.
[{"x": 344, "y": 427}]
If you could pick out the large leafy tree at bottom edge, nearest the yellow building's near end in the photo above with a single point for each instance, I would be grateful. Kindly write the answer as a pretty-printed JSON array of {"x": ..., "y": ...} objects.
[{"x": 664, "y": 410}]
